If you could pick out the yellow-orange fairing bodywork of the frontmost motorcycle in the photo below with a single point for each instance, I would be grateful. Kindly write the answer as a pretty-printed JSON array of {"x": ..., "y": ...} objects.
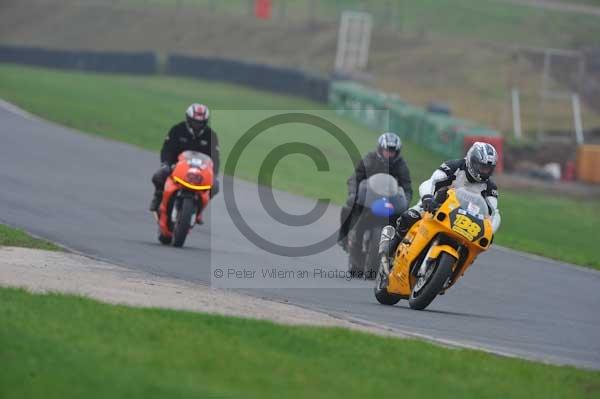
[{"x": 464, "y": 230}]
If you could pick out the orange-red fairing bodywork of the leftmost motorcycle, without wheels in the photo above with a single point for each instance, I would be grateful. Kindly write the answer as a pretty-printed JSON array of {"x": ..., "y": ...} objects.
[{"x": 193, "y": 172}]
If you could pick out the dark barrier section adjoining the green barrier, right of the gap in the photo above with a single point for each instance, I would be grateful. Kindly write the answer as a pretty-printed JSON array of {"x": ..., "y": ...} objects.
[{"x": 282, "y": 80}]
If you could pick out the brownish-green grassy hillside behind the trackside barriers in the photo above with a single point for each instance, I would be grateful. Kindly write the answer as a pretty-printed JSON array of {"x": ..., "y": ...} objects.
[{"x": 459, "y": 52}]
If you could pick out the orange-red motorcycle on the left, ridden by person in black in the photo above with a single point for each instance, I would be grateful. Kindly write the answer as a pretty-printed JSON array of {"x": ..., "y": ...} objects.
[{"x": 185, "y": 196}]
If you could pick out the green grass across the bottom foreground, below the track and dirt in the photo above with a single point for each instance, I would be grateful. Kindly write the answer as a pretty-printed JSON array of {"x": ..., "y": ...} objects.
[{"x": 60, "y": 346}]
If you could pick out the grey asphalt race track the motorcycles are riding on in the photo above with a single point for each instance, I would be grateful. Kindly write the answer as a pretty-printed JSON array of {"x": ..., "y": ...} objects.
[{"x": 91, "y": 195}]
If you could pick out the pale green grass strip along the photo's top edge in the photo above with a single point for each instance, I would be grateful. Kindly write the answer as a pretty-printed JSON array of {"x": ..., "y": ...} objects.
[{"x": 485, "y": 20}]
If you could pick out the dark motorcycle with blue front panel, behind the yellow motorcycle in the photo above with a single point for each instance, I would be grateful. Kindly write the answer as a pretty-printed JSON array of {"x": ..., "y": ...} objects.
[{"x": 380, "y": 202}]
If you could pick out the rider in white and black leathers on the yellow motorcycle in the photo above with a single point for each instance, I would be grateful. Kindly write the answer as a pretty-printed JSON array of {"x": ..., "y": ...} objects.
[{"x": 473, "y": 171}]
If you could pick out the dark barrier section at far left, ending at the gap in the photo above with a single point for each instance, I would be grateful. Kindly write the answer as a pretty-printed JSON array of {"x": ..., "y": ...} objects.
[{"x": 103, "y": 61}]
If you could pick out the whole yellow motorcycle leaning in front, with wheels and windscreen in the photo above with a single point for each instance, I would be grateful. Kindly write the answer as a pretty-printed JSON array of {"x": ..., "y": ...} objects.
[{"x": 436, "y": 251}]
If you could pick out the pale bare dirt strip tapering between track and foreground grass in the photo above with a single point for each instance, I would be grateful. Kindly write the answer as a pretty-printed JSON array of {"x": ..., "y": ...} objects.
[{"x": 44, "y": 271}]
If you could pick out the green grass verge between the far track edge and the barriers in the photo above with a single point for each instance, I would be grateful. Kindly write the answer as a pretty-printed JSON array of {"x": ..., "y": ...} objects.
[{"x": 140, "y": 110}]
